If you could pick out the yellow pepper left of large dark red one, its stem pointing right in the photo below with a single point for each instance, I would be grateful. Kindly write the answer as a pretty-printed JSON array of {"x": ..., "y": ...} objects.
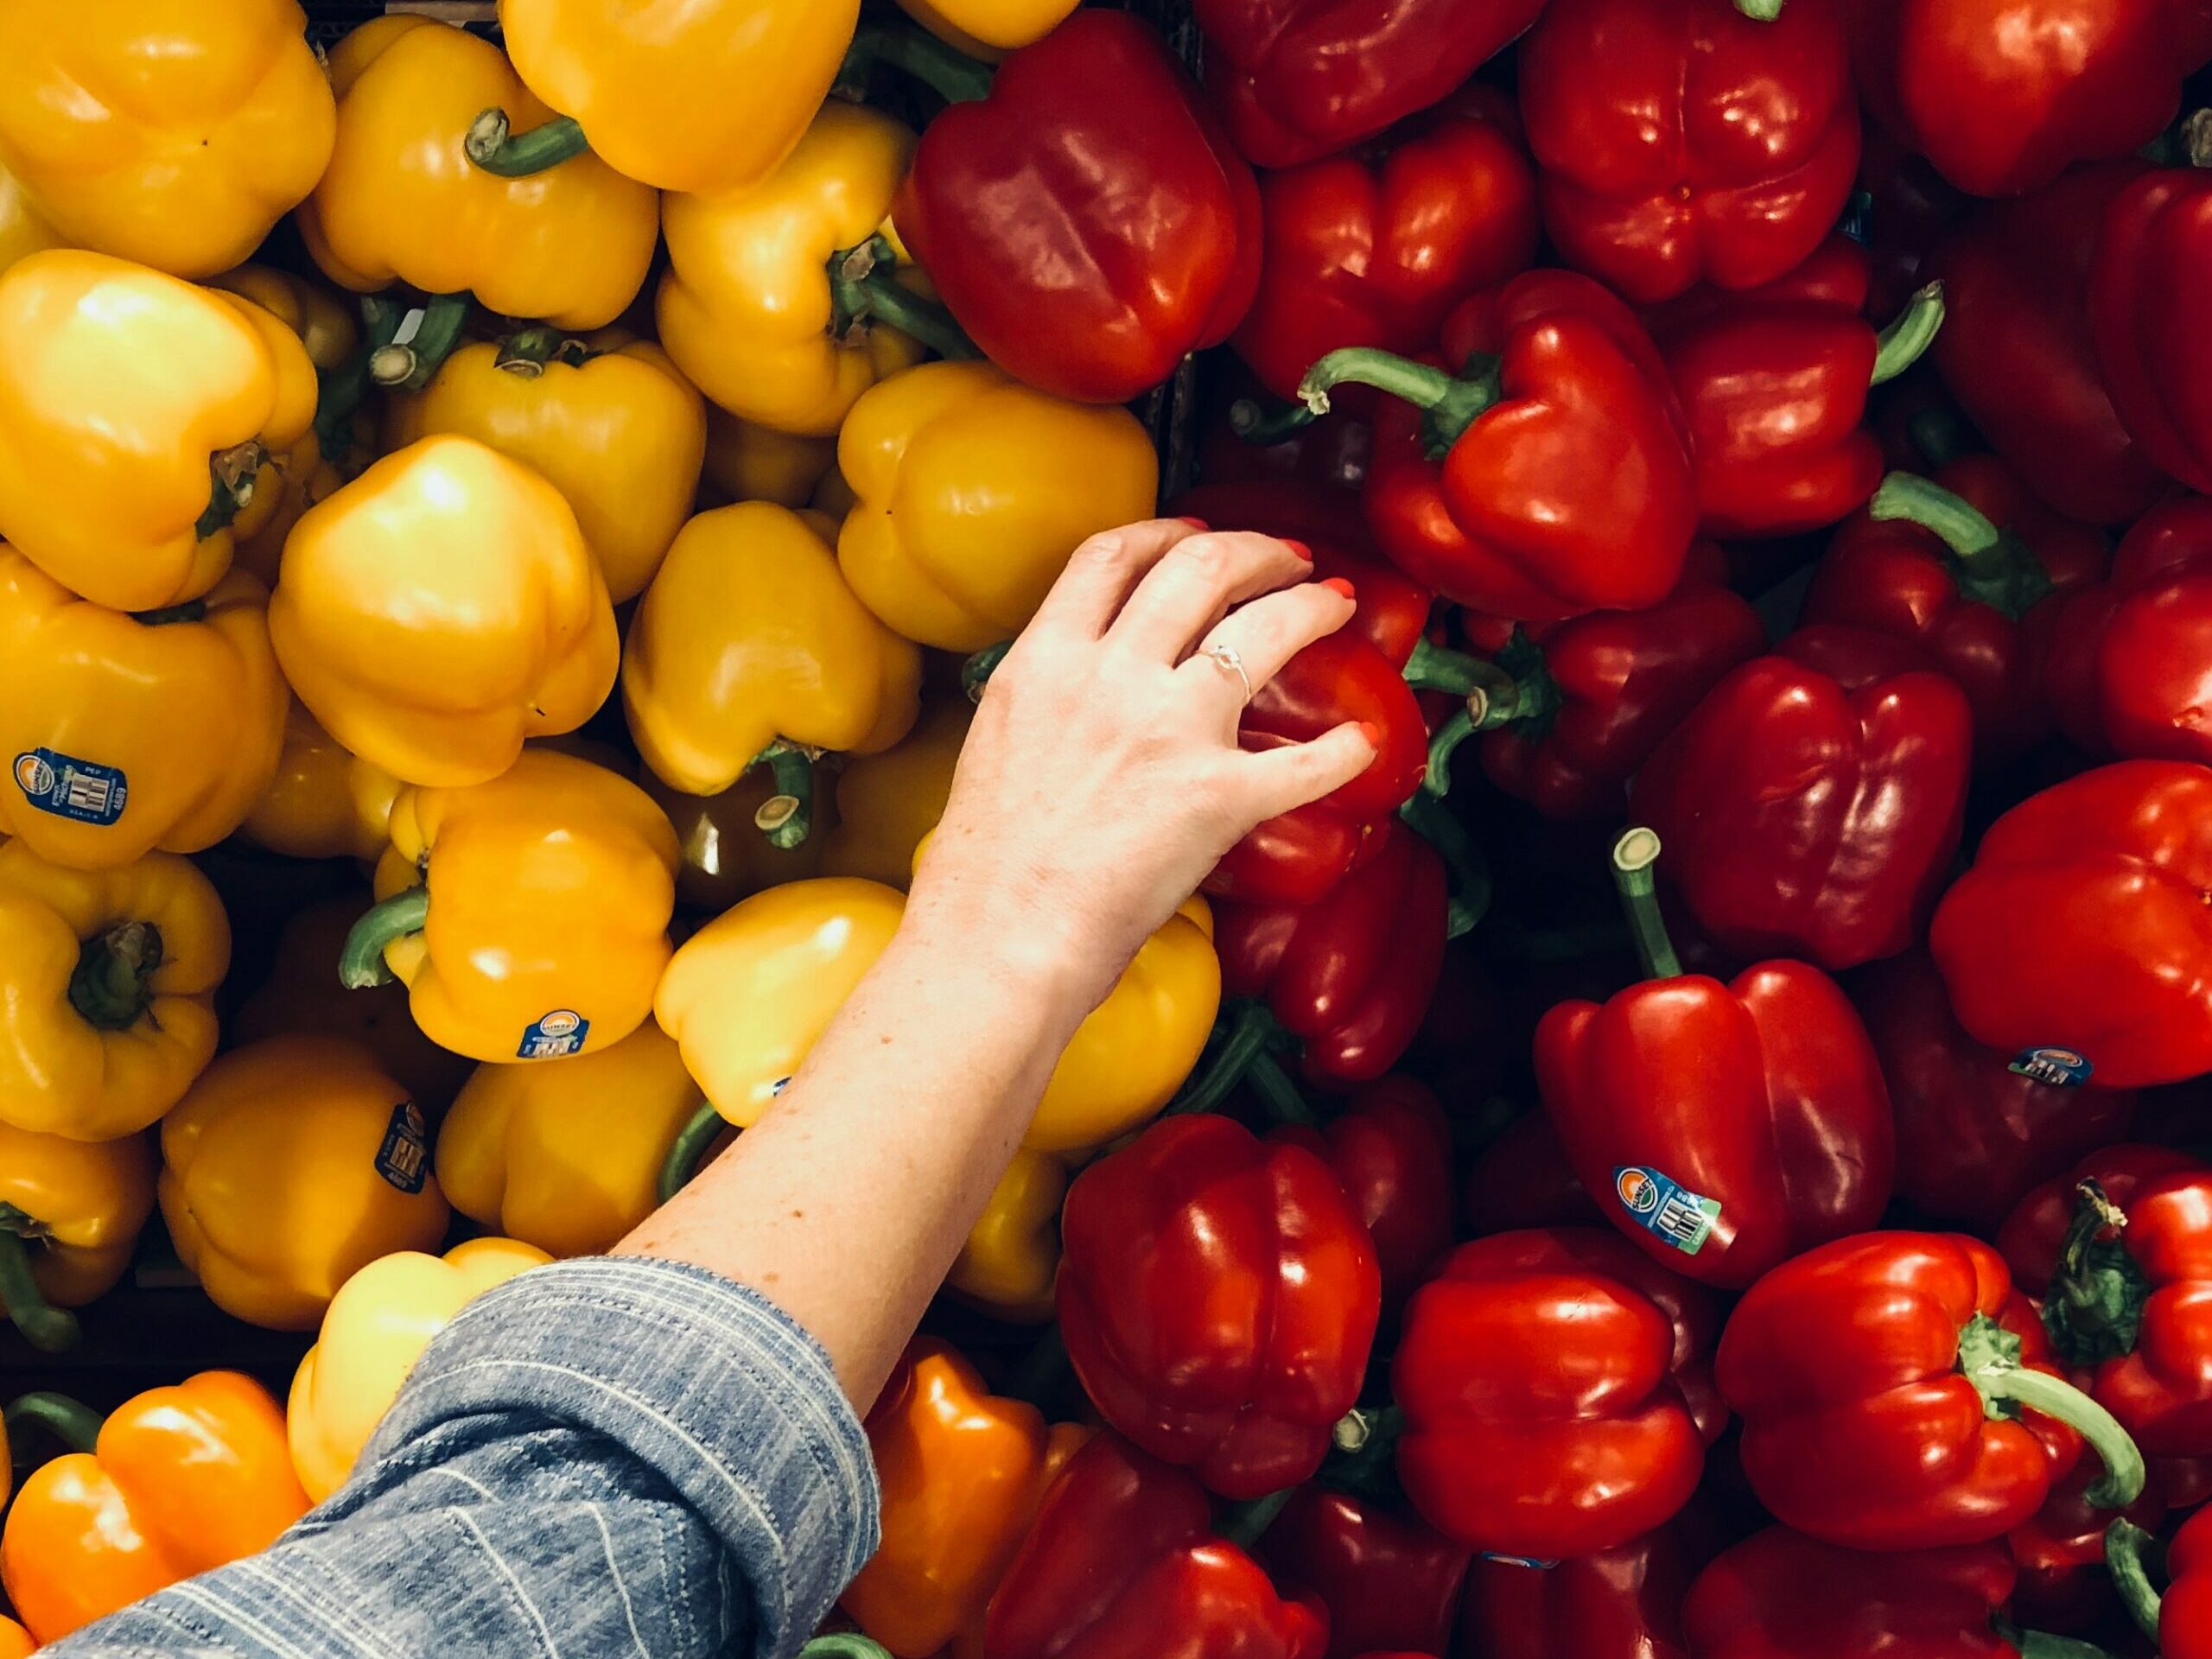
[{"x": 747, "y": 306}]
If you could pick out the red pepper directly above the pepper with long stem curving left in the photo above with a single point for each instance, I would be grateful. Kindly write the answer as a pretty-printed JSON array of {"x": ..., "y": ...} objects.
[{"x": 1377, "y": 247}]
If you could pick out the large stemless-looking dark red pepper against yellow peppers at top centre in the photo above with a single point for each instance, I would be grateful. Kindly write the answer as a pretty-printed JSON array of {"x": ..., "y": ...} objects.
[{"x": 1019, "y": 207}]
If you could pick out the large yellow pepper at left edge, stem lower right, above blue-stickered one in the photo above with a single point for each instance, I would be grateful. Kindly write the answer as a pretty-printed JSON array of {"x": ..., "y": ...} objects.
[{"x": 123, "y": 397}]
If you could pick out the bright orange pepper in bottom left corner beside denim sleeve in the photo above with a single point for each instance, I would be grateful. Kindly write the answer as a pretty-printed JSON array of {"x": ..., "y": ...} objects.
[{"x": 178, "y": 1481}]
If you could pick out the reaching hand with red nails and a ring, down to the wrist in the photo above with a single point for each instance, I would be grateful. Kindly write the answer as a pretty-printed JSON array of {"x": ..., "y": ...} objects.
[{"x": 1103, "y": 778}]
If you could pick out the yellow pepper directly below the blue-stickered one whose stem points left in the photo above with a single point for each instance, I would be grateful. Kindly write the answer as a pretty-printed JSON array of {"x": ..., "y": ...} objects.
[{"x": 567, "y": 1158}]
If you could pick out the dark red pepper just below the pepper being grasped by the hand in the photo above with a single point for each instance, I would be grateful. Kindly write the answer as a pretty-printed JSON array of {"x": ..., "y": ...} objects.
[{"x": 1353, "y": 972}]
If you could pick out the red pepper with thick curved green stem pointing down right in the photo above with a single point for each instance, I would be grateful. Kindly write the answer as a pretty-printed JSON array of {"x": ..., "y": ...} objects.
[{"x": 1884, "y": 1384}]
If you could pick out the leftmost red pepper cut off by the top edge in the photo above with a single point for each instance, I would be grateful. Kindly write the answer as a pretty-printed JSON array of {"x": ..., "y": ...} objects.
[{"x": 1308, "y": 79}]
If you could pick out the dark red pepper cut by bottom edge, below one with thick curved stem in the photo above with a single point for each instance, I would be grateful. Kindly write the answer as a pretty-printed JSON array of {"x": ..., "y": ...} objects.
[{"x": 1782, "y": 1596}]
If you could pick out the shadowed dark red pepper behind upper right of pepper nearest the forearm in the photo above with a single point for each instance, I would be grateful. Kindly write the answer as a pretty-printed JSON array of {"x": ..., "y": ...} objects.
[{"x": 1390, "y": 1149}]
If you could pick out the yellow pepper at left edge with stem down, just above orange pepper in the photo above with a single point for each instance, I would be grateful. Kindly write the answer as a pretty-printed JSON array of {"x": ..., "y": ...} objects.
[{"x": 70, "y": 1218}]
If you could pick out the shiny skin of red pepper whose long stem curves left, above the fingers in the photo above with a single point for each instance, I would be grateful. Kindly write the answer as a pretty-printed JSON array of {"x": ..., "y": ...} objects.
[{"x": 1572, "y": 494}]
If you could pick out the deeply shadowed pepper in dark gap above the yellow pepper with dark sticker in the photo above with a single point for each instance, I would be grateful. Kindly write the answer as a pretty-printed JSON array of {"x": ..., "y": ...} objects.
[{"x": 306, "y": 997}]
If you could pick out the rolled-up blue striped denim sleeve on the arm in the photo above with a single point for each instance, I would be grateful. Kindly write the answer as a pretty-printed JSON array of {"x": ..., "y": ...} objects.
[{"x": 607, "y": 1457}]
